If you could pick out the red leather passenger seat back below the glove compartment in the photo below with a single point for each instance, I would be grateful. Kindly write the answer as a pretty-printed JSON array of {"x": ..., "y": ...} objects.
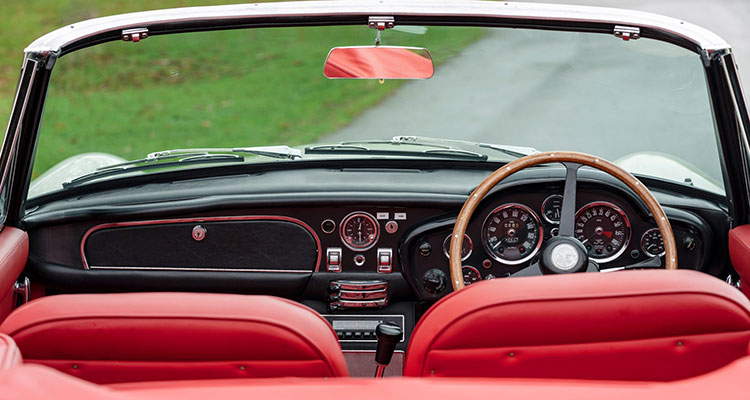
[{"x": 110, "y": 338}]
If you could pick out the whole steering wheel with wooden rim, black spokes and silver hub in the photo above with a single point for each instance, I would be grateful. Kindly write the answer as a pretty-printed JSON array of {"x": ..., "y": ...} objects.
[{"x": 563, "y": 253}]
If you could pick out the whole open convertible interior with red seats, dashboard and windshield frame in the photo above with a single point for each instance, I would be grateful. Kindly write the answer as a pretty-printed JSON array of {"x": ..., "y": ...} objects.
[{"x": 450, "y": 267}]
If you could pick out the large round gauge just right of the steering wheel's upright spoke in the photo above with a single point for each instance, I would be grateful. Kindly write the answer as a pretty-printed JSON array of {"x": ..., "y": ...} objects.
[{"x": 603, "y": 229}]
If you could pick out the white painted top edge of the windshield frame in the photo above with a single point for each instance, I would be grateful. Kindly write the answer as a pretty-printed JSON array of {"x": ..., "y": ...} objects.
[{"x": 55, "y": 40}]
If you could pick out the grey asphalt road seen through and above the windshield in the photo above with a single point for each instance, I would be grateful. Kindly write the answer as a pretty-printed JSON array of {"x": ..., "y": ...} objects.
[{"x": 529, "y": 88}]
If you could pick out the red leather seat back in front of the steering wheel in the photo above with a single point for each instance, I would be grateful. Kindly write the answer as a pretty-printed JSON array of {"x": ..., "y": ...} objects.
[{"x": 634, "y": 325}]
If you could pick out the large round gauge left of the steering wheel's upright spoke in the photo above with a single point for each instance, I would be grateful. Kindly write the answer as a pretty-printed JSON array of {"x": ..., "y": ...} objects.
[{"x": 512, "y": 234}]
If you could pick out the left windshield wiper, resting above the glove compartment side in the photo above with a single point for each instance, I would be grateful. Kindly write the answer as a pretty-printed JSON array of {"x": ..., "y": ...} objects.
[{"x": 180, "y": 157}]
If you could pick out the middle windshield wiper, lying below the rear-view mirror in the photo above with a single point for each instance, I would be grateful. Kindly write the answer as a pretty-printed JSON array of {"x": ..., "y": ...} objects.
[{"x": 350, "y": 148}]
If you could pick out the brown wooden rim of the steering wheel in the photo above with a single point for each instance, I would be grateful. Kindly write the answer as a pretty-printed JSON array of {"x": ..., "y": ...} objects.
[{"x": 544, "y": 158}]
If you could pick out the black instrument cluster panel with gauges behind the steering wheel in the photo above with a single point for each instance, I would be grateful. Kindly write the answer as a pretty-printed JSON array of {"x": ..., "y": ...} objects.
[{"x": 508, "y": 231}]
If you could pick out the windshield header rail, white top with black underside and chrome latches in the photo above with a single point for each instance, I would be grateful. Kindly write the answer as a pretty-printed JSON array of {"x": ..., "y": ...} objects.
[{"x": 437, "y": 12}]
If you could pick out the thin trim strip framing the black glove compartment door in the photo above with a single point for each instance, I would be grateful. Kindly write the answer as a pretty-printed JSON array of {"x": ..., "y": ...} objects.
[{"x": 200, "y": 219}]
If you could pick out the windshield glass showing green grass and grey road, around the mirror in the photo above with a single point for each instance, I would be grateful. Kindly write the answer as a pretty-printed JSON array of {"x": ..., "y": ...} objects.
[{"x": 643, "y": 104}]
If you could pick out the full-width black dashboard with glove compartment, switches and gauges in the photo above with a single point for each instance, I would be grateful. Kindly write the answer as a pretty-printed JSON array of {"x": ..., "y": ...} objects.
[{"x": 348, "y": 242}]
